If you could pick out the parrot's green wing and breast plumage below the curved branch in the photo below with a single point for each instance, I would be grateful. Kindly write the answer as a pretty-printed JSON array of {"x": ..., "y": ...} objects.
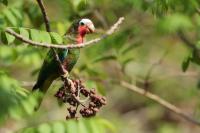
[{"x": 50, "y": 69}]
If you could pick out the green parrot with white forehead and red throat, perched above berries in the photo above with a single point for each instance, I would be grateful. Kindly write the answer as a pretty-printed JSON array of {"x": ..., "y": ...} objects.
[{"x": 50, "y": 69}]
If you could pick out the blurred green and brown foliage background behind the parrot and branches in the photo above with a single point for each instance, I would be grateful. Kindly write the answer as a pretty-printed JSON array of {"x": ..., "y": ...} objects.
[{"x": 145, "y": 51}]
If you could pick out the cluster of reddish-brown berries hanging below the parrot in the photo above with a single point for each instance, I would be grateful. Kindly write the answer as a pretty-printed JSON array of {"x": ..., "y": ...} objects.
[{"x": 89, "y": 106}]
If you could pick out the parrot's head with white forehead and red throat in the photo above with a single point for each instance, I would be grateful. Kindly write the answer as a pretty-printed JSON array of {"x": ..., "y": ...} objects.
[{"x": 80, "y": 28}]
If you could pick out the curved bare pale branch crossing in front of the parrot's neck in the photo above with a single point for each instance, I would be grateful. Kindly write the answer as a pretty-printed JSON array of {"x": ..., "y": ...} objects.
[{"x": 65, "y": 46}]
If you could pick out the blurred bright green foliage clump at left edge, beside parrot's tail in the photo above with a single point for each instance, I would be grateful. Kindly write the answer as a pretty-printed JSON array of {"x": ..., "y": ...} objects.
[{"x": 10, "y": 98}]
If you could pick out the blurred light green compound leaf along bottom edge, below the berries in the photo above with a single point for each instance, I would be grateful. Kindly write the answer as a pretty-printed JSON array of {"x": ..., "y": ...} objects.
[{"x": 93, "y": 125}]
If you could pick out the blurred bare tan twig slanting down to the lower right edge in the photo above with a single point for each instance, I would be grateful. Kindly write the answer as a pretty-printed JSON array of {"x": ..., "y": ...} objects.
[{"x": 159, "y": 100}]
